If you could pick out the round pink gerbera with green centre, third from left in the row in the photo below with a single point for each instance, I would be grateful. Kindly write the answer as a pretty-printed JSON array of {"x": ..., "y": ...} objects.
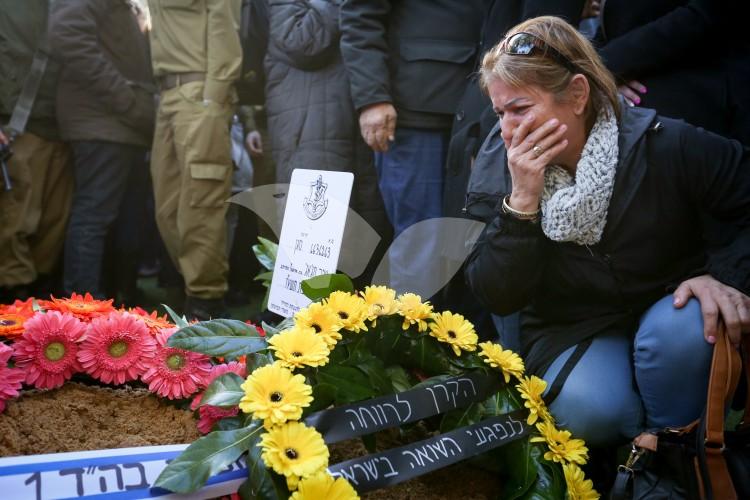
[{"x": 116, "y": 348}]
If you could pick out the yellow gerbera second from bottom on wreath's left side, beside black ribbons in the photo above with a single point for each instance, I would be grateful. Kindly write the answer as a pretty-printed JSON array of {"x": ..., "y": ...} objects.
[{"x": 294, "y": 449}]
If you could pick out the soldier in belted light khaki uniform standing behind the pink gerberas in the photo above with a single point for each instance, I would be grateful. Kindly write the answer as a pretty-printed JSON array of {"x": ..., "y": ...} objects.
[{"x": 197, "y": 57}]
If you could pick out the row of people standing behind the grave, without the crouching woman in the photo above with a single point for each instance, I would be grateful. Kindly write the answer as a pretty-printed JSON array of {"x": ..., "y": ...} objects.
[{"x": 386, "y": 90}]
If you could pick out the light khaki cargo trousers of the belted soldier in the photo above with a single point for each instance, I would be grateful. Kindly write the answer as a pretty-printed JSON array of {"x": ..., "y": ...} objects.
[{"x": 191, "y": 167}]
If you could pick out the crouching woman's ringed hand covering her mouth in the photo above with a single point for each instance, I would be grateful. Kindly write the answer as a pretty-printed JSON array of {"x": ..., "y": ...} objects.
[{"x": 528, "y": 155}]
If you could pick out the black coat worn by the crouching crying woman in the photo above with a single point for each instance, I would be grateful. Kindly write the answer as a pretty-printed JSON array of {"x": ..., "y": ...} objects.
[{"x": 668, "y": 174}]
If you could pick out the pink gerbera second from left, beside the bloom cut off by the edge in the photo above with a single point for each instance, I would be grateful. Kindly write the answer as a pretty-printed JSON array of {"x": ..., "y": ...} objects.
[{"x": 47, "y": 349}]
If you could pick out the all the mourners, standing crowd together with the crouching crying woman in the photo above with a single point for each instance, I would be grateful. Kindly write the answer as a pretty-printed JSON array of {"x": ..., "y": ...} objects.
[{"x": 603, "y": 145}]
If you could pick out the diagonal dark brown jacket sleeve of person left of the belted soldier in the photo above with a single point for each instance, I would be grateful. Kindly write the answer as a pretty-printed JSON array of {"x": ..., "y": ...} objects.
[{"x": 73, "y": 38}]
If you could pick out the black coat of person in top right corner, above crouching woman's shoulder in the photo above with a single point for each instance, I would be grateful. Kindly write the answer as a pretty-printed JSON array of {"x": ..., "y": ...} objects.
[{"x": 692, "y": 55}]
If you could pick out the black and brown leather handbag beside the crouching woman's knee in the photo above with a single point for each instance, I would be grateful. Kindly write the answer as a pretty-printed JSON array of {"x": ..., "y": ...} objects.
[{"x": 700, "y": 460}]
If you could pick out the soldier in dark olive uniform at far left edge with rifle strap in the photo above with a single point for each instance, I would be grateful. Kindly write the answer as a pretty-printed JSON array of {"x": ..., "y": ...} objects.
[{"x": 34, "y": 212}]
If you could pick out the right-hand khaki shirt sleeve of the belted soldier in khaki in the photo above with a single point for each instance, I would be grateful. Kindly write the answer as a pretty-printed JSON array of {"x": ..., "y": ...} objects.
[{"x": 224, "y": 51}]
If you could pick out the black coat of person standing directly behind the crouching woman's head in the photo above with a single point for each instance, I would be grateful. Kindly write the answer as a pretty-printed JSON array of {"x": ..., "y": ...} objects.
[{"x": 474, "y": 117}]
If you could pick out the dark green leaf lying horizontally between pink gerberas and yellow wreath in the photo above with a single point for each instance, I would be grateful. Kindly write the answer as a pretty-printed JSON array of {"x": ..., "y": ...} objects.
[{"x": 227, "y": 338}]
